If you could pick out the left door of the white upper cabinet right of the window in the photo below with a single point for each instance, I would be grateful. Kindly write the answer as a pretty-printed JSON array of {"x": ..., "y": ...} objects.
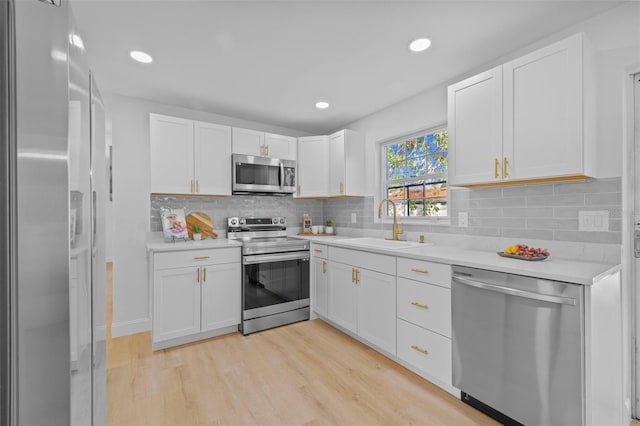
[{"x": 475, "y": 129}]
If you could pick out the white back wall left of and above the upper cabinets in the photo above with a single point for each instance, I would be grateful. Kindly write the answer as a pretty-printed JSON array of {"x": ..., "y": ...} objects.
[{"x": 131, "y": 209}]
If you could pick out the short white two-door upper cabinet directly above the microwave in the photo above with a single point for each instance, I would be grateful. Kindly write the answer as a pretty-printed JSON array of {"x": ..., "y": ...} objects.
[{"x": 253, "y": 142}]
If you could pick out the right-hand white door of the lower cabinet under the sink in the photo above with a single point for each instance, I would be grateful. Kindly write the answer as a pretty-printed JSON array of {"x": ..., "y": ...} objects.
[{"x": 377, "y": 309}]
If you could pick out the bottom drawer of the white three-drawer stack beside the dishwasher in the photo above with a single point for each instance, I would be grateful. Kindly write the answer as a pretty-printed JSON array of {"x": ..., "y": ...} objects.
[{"x": 424, "y": 350}]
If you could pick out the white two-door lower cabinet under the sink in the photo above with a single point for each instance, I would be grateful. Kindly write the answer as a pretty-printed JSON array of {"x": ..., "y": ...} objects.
[{"x": 362, "y": 294}]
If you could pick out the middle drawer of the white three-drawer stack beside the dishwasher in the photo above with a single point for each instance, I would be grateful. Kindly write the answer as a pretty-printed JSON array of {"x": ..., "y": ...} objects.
[{"x": 426, "y": 305}]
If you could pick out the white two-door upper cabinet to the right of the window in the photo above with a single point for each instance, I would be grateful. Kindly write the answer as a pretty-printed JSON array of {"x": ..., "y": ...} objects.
[{"x": 526, "y": 120}]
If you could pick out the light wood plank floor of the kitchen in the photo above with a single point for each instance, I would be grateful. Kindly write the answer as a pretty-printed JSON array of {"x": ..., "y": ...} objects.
[{"x": 302, "y": 374}]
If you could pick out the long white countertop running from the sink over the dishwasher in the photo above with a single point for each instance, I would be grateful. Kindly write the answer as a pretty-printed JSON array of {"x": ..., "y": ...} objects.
[{"x": 585, "y": 273}]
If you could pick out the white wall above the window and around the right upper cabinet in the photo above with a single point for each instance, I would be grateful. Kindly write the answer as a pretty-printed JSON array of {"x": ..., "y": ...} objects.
[{"x": 616, "y": 37}]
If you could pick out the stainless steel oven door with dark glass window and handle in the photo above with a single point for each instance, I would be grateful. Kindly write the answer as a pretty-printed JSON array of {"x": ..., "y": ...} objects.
[{"x": 274, "y": 283}]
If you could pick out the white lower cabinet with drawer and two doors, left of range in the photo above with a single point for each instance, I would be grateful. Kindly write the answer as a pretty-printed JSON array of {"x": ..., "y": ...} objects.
[{"x": 196, "y": 294}]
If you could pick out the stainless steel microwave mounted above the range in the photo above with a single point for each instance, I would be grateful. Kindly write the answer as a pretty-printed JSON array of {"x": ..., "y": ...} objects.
[{"x": 262, "y": 175}]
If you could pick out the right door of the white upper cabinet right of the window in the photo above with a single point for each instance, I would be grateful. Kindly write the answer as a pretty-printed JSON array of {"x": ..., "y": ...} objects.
[{"x": 543, "y": 128}]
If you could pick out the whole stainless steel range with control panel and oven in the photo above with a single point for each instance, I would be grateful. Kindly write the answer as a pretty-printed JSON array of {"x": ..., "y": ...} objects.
[{"x": 275, "y": 273}]
